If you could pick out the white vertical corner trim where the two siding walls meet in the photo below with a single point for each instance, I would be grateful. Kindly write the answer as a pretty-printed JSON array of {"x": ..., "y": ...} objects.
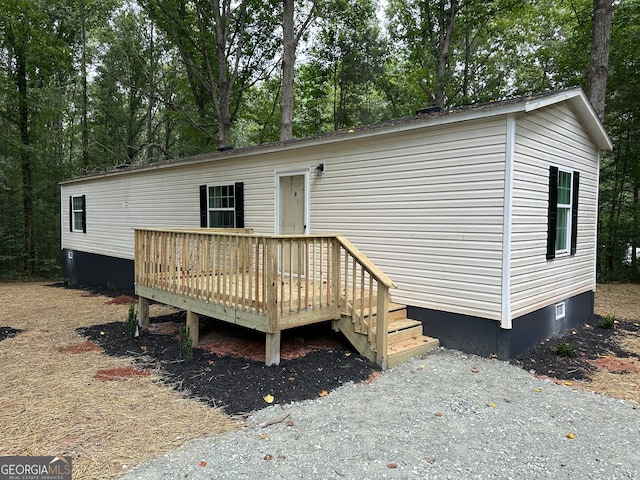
[{"x": 510, "y": 143}]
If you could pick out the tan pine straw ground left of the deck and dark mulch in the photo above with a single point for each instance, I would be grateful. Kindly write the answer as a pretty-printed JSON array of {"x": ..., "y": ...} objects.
[{"x": 52, "y": 402}]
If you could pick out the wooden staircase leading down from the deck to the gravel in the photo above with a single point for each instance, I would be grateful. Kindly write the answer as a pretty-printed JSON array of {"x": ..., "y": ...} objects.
[{"x": 404, "y": 335}]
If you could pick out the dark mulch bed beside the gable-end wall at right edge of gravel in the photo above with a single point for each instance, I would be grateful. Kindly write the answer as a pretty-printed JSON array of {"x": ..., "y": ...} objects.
[{"x": 591, "y": 344}]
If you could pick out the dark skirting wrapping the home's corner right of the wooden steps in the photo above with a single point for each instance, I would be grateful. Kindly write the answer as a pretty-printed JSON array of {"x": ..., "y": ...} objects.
[{"x": 485, "y": 337}]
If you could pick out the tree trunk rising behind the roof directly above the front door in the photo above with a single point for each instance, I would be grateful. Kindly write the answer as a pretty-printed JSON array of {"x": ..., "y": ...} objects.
[{"x": 288, "y": 65}]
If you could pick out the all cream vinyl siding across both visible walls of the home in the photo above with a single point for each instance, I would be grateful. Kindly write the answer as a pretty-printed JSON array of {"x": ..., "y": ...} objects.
[{"x": 424, "y": 201}]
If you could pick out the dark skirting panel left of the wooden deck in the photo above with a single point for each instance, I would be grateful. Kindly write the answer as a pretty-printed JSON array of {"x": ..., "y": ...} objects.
[{"x": 100, "y": 271}]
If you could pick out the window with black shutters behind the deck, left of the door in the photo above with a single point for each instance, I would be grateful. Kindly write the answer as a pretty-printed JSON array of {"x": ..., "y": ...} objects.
[{"x": 222, "y": 206}]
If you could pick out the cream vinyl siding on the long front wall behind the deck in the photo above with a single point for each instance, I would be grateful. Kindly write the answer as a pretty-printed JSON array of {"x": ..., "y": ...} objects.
[{"x": 425, "y": 205}]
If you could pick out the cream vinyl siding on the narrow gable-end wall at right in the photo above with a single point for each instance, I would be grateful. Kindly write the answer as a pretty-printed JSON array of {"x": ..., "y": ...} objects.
[{"x": 550, "y": 136}]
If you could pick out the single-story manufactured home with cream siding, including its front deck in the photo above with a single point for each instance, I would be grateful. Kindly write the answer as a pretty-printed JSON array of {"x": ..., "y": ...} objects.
[{"x": 481, "y": 220}]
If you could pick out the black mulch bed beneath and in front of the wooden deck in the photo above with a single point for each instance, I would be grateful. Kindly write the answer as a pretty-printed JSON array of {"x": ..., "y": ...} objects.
[{"x": 238, "y": 385}]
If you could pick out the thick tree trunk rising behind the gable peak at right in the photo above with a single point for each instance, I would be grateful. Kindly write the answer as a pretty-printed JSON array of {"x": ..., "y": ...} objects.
[{"x": 599, "y": 61}]
